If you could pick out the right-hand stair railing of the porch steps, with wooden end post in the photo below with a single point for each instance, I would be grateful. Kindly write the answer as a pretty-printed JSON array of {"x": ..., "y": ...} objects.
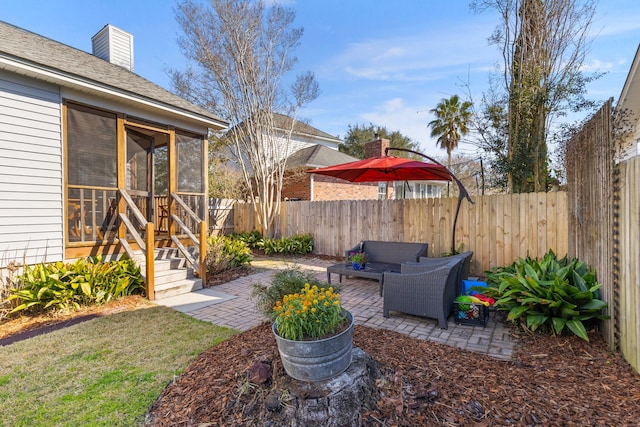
[{"x": 201, "y": 241}]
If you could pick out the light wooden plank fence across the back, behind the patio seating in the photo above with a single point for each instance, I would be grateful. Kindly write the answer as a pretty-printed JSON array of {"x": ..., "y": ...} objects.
[{"x": 498, "y": 228}]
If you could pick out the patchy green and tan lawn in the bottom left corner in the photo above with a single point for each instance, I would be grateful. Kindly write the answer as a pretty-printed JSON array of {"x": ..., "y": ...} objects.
[{"x": 102, "y": 372}]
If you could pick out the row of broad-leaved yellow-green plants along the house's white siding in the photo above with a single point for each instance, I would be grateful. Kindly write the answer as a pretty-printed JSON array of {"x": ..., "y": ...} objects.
[{"x": 64, "y": 286}]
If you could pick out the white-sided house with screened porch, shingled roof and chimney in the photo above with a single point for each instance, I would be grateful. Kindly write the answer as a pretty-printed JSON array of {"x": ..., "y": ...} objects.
[{"x": 74, "y": 129}]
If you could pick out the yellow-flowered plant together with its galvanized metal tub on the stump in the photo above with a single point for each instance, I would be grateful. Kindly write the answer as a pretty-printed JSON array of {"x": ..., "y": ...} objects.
[{"x": 314, "y": 334}]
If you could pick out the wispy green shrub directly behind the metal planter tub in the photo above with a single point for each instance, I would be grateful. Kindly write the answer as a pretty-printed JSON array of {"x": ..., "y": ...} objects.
[{"x": 284, "y": 282}]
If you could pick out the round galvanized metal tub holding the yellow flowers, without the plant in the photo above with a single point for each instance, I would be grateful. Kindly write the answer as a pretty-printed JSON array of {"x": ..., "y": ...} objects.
[{"x": 316, "y": 360}]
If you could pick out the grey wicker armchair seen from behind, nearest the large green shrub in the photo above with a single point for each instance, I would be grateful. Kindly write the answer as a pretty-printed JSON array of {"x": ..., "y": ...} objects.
[{"x": 422, "y": 290}]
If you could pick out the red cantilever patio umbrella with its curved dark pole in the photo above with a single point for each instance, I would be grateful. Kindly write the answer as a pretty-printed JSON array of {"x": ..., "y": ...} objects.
[{"x": 390, "y": 168}]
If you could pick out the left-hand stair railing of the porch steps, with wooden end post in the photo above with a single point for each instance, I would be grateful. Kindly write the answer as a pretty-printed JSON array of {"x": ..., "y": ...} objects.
[{"x": 146, "y": 245}]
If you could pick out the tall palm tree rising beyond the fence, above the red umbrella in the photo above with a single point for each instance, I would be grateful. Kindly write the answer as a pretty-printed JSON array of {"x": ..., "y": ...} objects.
[{"x": 450, "y": 124}]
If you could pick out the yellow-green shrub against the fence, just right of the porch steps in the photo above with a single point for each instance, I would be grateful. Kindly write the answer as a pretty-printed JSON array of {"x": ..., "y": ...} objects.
[{"x": 225, "y": 253}]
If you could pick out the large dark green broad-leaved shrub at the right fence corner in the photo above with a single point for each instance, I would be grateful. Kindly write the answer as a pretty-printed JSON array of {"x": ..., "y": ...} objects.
[{"x": 548, "y": 295}]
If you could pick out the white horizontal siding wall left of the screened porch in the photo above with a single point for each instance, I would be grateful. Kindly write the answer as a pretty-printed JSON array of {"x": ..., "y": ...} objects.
[{"x": 31, "y": 202}]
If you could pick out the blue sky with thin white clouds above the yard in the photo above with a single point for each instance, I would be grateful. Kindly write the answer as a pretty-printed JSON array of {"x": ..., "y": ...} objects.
[{"x": 377, "y": 61}]
